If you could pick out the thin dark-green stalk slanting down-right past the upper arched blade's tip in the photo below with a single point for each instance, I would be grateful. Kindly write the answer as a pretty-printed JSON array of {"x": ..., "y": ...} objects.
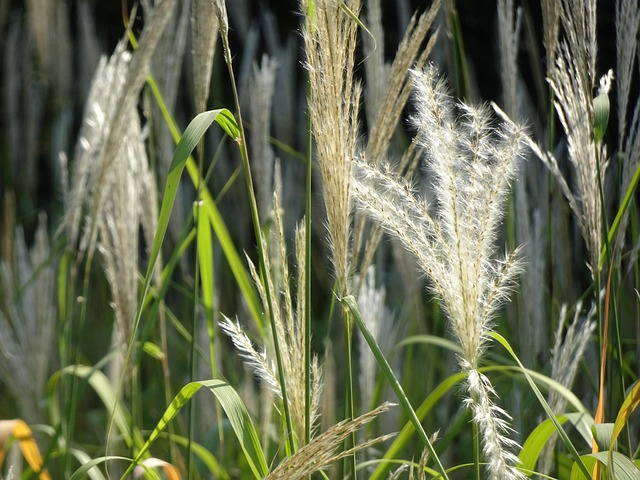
[{"x": 261, "y": 253}]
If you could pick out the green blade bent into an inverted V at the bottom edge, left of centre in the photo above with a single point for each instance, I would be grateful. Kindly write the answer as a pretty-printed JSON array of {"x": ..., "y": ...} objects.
[{"x": 236, "y": 413}]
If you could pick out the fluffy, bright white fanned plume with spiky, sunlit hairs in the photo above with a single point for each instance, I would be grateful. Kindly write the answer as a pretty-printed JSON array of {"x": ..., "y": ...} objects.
[{"x": 471, "y": 163}]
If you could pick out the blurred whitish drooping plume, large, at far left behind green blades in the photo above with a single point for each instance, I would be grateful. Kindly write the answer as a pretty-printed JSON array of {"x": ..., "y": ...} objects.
[{"x": 117, "y": 189}]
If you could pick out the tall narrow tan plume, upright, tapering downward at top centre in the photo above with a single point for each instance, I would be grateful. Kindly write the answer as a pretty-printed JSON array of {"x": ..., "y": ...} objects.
[{"x": 330, "y": 44}]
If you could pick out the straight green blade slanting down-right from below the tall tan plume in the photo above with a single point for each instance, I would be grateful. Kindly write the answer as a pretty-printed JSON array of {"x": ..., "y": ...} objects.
[{"x": 350, "y": 303}]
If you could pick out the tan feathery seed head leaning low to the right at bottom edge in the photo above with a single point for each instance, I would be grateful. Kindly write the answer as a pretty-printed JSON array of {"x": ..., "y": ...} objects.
[{"x": 320, "y": 452}]
